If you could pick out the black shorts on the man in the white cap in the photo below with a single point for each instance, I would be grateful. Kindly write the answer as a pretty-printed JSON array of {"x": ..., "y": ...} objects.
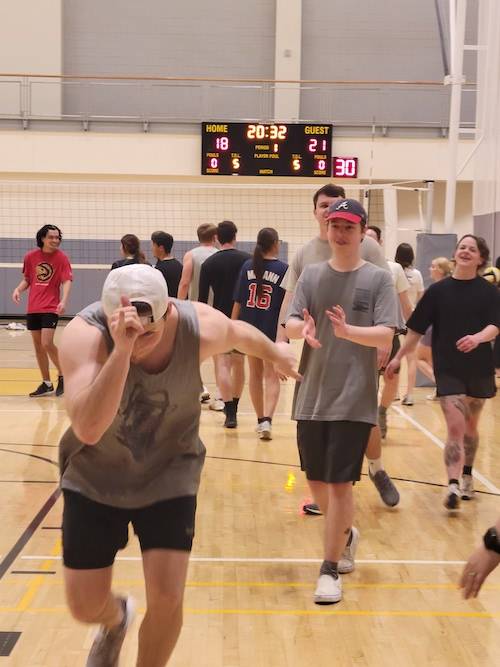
[{"x": 93, "y": 533}]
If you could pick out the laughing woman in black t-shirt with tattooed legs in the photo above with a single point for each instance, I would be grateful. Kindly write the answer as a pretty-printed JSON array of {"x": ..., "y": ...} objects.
[{"x": 464, "y": 311}]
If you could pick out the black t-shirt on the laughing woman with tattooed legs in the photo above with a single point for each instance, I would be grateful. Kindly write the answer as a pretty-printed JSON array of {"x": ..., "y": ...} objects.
[{"x": 458, "y": 308}]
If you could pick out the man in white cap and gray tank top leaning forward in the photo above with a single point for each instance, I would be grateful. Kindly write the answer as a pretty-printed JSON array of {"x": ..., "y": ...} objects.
[{"x": 133, "y": 454}]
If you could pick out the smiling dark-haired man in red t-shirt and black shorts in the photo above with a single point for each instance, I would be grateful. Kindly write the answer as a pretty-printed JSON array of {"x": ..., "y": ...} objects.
[{"x": 45, "y": 269}]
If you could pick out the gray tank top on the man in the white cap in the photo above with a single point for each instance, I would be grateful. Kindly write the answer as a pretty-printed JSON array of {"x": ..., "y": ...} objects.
[{"x": 152, "y": 450}]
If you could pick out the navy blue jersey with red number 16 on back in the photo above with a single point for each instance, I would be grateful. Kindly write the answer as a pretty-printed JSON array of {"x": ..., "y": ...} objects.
[{"x": 261, "y": 311}]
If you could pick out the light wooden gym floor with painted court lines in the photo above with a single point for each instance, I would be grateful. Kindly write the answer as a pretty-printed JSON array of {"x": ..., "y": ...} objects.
[{"x": 255, "y": 560}]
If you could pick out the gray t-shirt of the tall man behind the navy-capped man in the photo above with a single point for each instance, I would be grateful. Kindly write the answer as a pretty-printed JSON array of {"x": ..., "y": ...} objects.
[{"x": 319, "y": 250}]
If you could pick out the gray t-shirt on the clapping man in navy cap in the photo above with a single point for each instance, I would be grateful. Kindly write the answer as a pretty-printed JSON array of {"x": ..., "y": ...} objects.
[{"x": 340, "y": 379}]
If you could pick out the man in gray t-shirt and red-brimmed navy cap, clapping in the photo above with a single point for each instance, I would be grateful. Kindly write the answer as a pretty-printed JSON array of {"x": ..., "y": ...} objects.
[{"x": 344, "y": 309}]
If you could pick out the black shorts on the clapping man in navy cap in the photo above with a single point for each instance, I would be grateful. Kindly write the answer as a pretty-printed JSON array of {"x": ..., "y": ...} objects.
[{"x": 332, "y": 452}]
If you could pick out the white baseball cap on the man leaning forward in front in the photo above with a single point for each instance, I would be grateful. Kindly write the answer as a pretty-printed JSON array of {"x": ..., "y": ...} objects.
[{"x": 137, "y": 282}]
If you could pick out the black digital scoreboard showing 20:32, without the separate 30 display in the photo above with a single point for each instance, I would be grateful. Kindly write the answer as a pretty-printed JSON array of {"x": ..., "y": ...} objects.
[{"x": 266, "y": 149}]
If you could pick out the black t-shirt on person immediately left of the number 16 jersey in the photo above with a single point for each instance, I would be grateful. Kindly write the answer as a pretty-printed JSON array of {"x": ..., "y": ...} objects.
[{"x": 221, "y": 272}]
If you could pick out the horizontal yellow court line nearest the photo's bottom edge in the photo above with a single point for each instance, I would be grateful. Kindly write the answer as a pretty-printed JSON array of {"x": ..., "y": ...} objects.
[{"x": 297, "y": 612}]
